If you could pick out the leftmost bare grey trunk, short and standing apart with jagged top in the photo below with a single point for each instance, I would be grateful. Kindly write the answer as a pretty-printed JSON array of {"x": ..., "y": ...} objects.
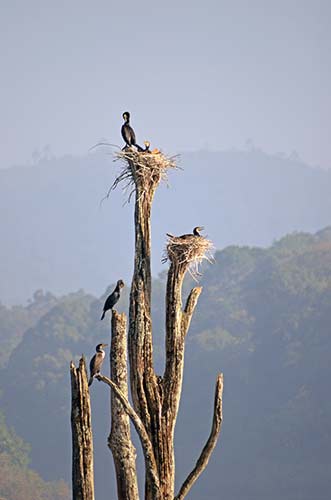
[{"x": 82, "y": 441}]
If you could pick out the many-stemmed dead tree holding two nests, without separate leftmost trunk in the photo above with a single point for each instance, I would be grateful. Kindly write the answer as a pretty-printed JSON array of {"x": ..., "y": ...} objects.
[{"x": 155, "y": 399}]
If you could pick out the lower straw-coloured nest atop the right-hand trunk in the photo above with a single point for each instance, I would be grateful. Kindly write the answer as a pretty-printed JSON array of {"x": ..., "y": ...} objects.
[{"x": 191, "y": 250}]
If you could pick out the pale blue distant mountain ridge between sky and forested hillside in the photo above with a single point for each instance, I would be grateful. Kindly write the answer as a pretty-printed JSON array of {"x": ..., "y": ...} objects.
[{"x": 56, "y": 236}]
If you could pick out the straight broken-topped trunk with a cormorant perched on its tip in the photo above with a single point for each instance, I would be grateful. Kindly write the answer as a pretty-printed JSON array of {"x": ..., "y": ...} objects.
[{"x": 119, "y": 440}]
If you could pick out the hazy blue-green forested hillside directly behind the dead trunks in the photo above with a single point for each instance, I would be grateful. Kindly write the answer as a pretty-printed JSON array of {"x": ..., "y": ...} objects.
[{"x": 263, "y": 319}]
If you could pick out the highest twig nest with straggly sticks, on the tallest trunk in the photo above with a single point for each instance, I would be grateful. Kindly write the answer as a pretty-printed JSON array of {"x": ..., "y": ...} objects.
[{"x": 149, "y": 168}]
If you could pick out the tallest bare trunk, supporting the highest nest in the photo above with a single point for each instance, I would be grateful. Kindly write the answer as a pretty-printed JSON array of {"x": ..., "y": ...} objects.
[{"x": 145, "y": 387}]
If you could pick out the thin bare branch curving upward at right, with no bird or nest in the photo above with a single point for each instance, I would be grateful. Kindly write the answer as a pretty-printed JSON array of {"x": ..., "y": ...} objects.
[{"x": 211, "y": 442}]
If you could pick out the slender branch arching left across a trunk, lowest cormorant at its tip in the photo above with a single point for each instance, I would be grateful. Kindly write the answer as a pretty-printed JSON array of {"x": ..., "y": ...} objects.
[{"x": 150, "y": 463}]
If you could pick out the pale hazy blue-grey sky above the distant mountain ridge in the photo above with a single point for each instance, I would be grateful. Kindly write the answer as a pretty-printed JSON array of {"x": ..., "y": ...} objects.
[{"x": 194, "y": 74}]
